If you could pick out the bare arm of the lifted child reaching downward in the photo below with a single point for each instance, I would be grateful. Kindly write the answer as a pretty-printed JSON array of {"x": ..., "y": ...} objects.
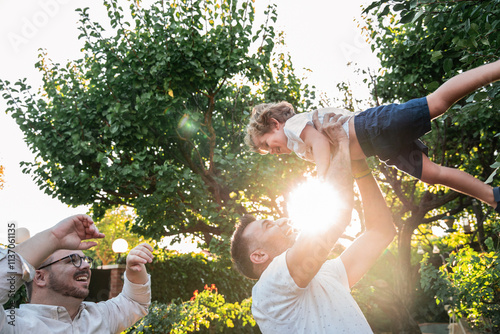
[{"x": 320, "y": 148}]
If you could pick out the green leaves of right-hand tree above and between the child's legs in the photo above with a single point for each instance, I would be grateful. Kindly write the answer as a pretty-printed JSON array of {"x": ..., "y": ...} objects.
[{"x": 420, "y": 45}]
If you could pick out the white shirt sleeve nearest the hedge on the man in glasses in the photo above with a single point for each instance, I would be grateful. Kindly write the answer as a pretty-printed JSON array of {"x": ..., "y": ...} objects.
[{"x": 129, "y": 306}]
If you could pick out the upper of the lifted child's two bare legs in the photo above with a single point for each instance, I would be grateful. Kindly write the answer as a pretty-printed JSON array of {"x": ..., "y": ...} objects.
[{"x": 459, "y": 86}]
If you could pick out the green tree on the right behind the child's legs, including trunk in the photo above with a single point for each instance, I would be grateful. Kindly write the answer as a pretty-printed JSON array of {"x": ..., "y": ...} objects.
[{"x": 420, "y": 44}]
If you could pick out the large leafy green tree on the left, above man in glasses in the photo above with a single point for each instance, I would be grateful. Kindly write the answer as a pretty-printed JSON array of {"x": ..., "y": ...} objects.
[{"x": 151, "y": 117}]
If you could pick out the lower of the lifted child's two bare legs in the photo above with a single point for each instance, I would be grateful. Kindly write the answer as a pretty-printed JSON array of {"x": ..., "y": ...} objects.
[{"x": 457, "y": 180}]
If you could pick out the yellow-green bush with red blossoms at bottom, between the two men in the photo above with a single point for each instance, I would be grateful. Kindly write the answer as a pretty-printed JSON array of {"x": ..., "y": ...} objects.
[{"x": 206, "y": 312}]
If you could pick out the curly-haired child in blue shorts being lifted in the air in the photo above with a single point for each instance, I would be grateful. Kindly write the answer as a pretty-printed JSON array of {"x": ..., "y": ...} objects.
[{"x": 389, "y": 132}]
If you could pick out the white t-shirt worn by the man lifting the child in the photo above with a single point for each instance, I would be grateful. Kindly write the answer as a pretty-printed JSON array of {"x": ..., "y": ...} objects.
[{"x": 324, "y": 306}]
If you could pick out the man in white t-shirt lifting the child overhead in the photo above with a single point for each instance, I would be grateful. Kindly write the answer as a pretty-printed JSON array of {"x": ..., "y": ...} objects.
[{"x": 299, "y": 289}]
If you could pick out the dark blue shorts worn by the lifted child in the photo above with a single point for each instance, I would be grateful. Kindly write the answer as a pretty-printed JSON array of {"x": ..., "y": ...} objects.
[{"x": 392, "y": 133}]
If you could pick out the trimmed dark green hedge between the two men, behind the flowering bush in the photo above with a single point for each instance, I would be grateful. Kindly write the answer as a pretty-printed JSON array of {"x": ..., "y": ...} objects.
[{"x": 176, "y": 276}]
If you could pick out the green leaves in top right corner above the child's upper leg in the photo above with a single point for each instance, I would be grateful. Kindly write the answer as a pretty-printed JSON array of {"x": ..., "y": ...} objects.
[{"x": 421, "y": 42}]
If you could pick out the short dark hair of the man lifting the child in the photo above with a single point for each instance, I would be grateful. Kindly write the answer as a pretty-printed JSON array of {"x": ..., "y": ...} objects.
[{"x": 240, "y": 250}]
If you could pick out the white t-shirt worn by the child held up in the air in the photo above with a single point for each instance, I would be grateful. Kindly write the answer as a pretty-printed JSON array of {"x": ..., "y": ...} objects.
[{"x": 295, "y": 125}]
